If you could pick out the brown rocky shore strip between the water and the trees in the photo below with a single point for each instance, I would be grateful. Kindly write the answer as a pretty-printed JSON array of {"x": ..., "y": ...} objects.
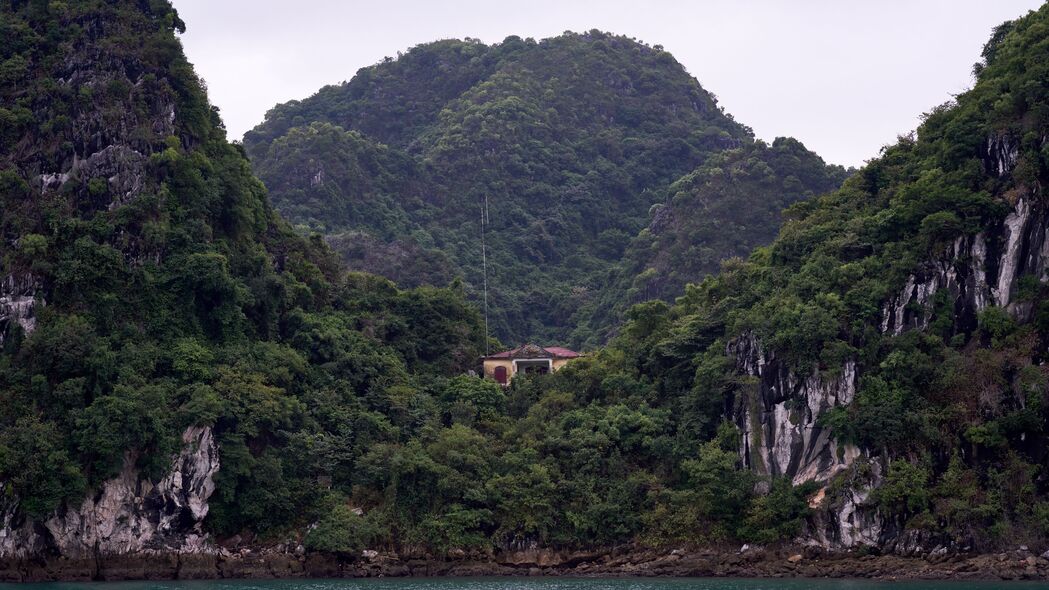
[{"x": 274, "y": 563}]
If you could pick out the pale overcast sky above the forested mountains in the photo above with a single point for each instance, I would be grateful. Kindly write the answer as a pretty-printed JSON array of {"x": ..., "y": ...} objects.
[{"x": 845, "y": 77}]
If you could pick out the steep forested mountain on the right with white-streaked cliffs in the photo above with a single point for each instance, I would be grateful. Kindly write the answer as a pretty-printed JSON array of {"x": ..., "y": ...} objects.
[{"x": 885, "y": 359}]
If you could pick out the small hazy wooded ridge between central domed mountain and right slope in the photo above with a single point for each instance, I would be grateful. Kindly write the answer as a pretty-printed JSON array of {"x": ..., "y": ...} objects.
[{"x": 723, "y": 209}]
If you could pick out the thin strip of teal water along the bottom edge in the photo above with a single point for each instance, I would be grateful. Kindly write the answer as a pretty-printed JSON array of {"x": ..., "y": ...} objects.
[{"x": 534, "y": 584}]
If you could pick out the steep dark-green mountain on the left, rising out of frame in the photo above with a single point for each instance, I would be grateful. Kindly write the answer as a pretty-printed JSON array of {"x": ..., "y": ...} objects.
[{"x": 170, "y": 350}]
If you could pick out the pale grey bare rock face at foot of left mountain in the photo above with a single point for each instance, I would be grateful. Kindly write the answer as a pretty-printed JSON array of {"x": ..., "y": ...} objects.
[{"x": 129, "y": 515}]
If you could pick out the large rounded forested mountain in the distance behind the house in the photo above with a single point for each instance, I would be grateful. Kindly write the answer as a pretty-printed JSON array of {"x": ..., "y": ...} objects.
[{"x": 565, "y": 144}]
